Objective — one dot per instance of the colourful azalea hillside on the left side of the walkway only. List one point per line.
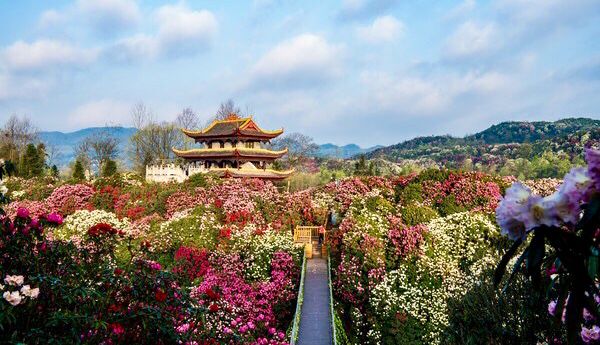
(119, 260)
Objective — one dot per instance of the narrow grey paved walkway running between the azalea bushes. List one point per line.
(315, 320)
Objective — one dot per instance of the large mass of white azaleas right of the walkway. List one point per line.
(457, 251)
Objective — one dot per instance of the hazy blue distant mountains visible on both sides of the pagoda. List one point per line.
(65, 144)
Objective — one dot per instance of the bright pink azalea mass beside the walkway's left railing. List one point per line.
(244, 309)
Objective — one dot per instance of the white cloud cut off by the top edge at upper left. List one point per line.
(110, 15)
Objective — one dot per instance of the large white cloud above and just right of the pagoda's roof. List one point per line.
(306, 58)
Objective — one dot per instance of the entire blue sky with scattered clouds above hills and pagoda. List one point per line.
(350, 71)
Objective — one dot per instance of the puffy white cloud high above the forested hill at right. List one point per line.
(472, 39)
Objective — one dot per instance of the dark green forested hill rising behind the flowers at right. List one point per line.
(499, 143)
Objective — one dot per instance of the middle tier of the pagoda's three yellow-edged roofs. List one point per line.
(230, 152)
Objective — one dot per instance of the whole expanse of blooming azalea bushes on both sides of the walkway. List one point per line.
(413, 259)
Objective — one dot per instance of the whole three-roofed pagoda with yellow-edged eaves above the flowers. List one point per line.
(234, 147)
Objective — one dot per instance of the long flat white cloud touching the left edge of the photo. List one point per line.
(45, 54)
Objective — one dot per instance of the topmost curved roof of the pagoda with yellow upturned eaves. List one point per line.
(232, 127)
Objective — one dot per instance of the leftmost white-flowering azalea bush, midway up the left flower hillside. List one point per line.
(76, 225)
